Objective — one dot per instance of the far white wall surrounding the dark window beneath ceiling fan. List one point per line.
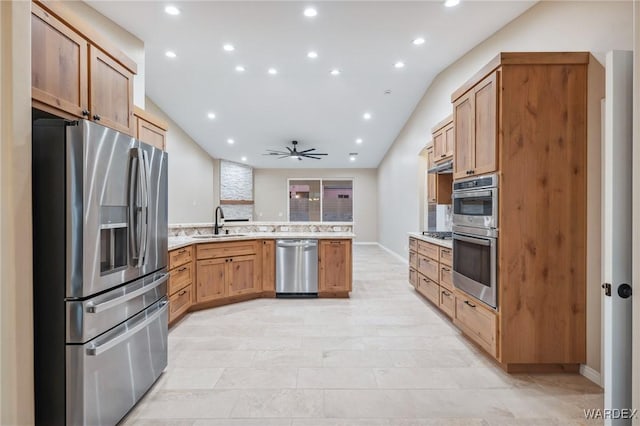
(270, 196)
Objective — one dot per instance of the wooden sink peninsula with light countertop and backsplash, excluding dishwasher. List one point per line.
(208, 270)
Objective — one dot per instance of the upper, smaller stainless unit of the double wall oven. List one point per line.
(475, 202)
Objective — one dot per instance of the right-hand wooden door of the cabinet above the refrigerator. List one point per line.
(110, 92)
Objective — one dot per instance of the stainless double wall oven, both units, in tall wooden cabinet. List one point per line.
(475, 237)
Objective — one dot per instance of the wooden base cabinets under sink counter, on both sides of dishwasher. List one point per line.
(212, 274)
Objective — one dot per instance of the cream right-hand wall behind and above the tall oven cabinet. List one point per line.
(548, 26)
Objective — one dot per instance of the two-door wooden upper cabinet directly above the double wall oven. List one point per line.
(475, 117)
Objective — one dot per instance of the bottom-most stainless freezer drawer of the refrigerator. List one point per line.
(107, 376)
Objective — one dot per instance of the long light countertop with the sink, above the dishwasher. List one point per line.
(177, 242)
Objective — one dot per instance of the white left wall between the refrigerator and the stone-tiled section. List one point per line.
(193, 175)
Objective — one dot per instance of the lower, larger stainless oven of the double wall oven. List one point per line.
(475, 263)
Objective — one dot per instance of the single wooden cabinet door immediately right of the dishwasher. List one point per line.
(335, 265)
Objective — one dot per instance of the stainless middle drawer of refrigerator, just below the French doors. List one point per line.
(89, 318)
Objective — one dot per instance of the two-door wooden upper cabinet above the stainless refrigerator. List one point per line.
(74, 74)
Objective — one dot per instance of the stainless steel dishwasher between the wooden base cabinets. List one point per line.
(296, 268)
